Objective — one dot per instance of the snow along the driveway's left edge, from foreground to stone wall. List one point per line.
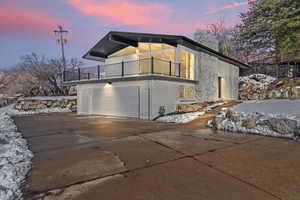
(15, 157)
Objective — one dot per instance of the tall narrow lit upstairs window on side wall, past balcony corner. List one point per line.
(187, 65)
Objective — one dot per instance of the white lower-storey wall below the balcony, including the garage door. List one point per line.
(152, 95)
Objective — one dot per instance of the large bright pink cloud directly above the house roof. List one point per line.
(147, 16)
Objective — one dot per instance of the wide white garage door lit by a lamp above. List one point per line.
(117, 101)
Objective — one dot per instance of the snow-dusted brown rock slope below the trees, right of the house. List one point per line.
(260, 86)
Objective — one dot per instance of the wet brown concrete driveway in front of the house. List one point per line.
(96, 157)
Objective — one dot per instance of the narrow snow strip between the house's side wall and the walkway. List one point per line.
(187, 117)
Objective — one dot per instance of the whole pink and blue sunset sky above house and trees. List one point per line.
(28, 25)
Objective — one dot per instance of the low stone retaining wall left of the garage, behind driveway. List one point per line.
(40, 103)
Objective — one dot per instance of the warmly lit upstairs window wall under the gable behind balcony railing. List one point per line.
(164, 59)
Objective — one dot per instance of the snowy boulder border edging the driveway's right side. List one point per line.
(268, 124)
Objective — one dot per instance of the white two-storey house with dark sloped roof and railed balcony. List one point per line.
(145, 74)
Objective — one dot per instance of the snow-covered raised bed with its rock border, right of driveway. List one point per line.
(274, 117)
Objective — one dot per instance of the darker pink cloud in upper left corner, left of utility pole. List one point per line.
(23, 21)
